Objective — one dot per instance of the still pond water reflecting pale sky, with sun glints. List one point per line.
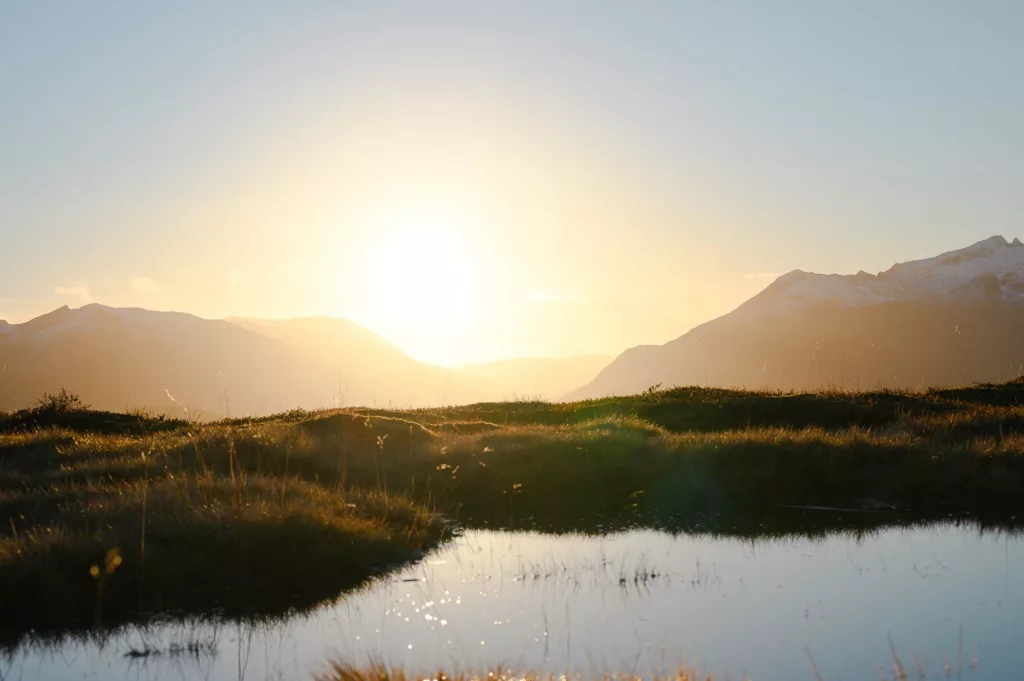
(641, 602)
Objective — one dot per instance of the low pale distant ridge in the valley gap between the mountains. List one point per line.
(544, 378)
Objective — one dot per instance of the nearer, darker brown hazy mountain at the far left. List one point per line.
(168, 362)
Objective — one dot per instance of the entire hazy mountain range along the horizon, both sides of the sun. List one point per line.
(955, 319)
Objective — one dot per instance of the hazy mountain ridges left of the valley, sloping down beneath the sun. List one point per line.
(181, 364)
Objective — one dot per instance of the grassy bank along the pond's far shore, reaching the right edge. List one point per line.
(676, 453)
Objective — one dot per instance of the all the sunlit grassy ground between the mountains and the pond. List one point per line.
(107, 518)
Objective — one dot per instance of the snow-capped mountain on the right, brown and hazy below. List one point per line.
(954, 319)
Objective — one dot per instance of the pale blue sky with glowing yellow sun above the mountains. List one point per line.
(481, 181)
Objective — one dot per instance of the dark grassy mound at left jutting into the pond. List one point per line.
(101, 530)
